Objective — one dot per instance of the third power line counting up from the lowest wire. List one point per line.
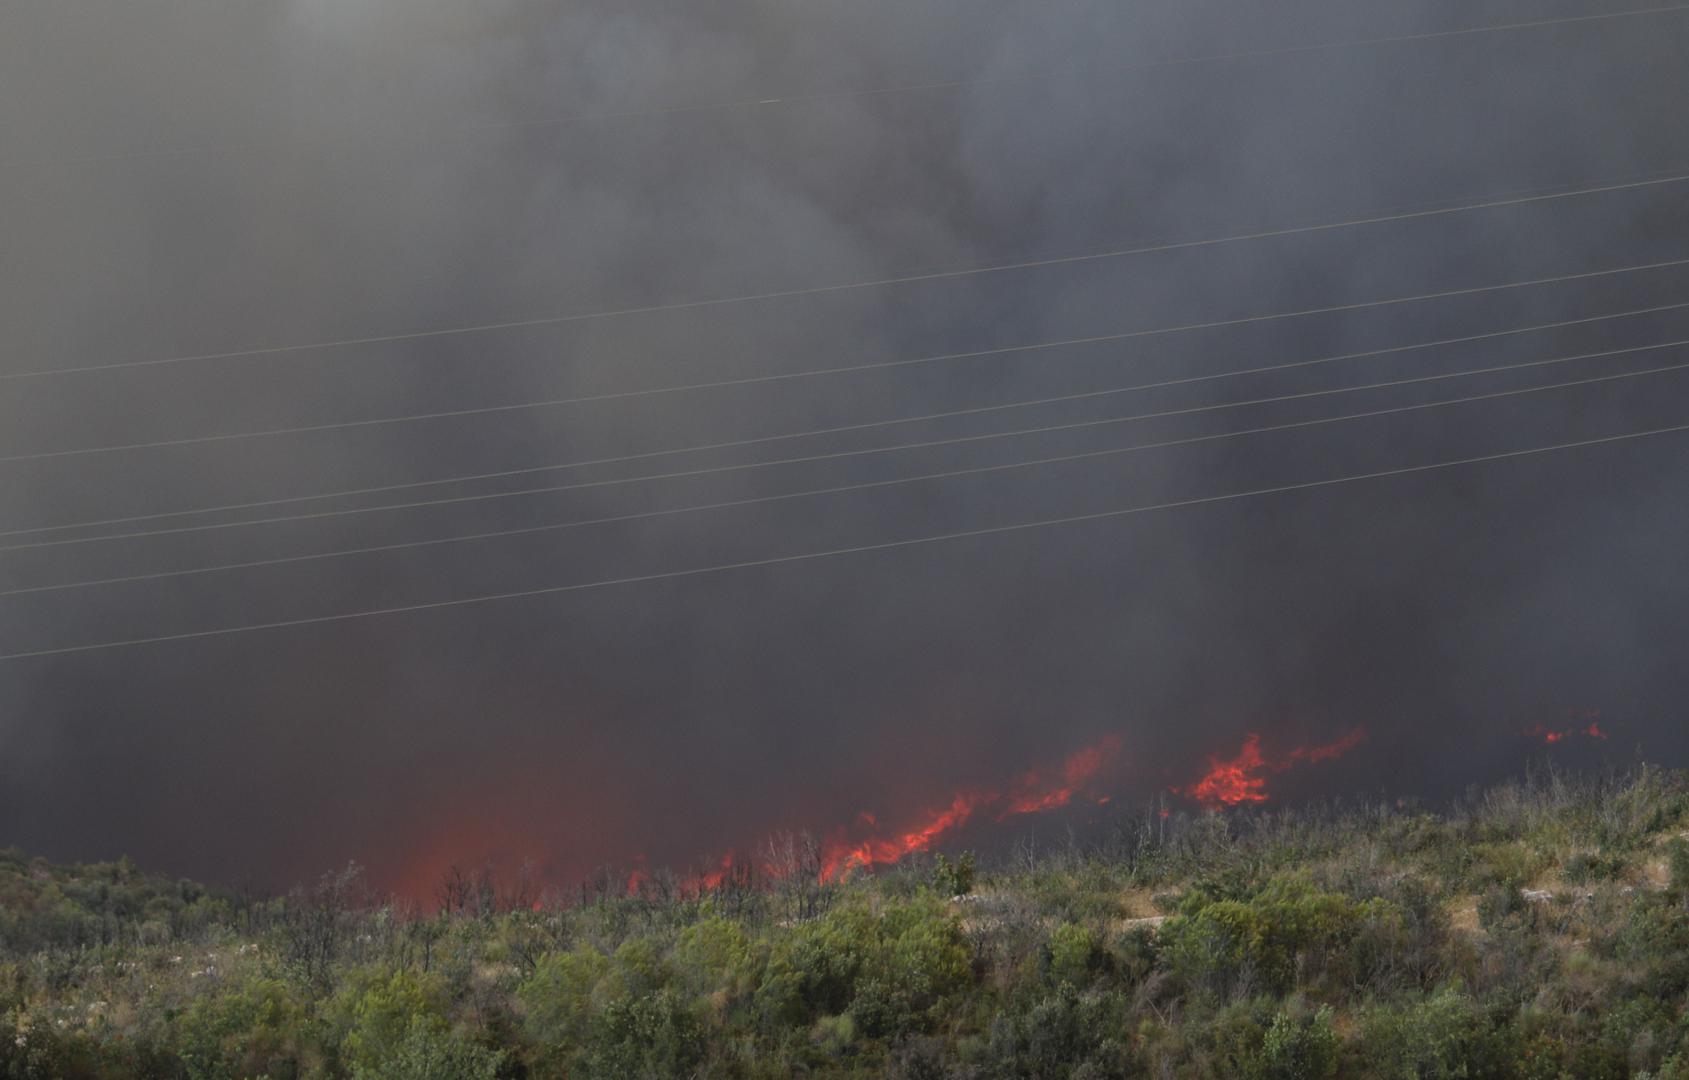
(864, 452)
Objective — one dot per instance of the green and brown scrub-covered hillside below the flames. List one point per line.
(1538, 930)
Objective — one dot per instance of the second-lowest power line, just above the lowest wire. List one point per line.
(834, 491)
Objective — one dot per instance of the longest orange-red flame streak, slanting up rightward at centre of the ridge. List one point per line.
(1033, 794)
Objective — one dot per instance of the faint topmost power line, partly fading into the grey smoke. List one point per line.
(926, 87)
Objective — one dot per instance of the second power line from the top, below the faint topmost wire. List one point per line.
(1026, 265)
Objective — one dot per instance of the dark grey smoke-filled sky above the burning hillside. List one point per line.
(195, 188)
